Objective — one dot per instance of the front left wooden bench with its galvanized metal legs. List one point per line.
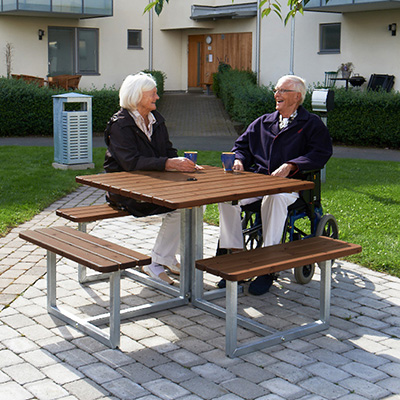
(97, 254)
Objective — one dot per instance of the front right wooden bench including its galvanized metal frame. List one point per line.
(267, 260)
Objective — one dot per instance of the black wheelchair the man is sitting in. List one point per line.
(305, 219)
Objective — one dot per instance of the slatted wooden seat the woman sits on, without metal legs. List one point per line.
(91, 213)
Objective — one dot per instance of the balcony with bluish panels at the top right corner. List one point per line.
(344, 6)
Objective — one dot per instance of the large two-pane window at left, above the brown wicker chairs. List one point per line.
(73, 51)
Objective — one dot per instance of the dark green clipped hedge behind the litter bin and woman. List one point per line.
(27, 110)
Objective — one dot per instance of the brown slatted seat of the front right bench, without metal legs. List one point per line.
(266, 260)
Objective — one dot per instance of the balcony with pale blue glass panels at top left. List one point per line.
(57, 8)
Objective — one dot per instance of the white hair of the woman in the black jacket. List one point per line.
(132, 88)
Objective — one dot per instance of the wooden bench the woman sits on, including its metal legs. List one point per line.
(84, 215)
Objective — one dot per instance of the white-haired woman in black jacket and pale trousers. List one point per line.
(137, 139)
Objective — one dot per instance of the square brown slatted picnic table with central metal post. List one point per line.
(189, 192)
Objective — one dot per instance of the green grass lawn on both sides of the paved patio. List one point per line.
(363, 195)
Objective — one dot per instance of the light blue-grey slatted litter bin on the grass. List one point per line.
(72, 118)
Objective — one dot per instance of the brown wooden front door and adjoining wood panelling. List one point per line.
(234, 49)
